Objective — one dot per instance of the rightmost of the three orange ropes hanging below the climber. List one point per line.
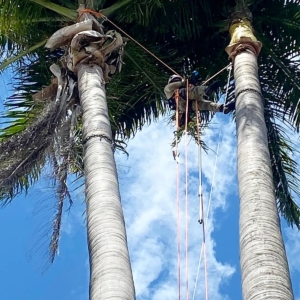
(201, 204)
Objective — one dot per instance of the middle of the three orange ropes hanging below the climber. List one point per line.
(186, 190)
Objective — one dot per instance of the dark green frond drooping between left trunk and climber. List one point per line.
(135, 99)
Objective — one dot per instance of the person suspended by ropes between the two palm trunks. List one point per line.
(201, 93)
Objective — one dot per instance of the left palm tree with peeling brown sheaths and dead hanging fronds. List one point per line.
(111, 274)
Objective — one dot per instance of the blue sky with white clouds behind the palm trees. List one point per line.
(148, 189)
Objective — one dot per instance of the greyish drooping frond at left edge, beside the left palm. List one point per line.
(24, 151)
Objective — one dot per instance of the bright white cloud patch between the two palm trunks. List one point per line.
(148, 188)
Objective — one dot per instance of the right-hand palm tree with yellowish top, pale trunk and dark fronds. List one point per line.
(267, 172)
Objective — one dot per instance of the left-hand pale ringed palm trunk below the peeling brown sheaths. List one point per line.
(110, 270)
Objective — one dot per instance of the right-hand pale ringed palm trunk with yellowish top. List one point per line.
(264, 267)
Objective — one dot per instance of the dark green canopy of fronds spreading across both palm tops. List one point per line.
(172, 30)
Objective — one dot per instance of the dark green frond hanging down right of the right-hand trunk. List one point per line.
(282, 150)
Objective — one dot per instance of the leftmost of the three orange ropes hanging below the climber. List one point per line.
(178, 195)
